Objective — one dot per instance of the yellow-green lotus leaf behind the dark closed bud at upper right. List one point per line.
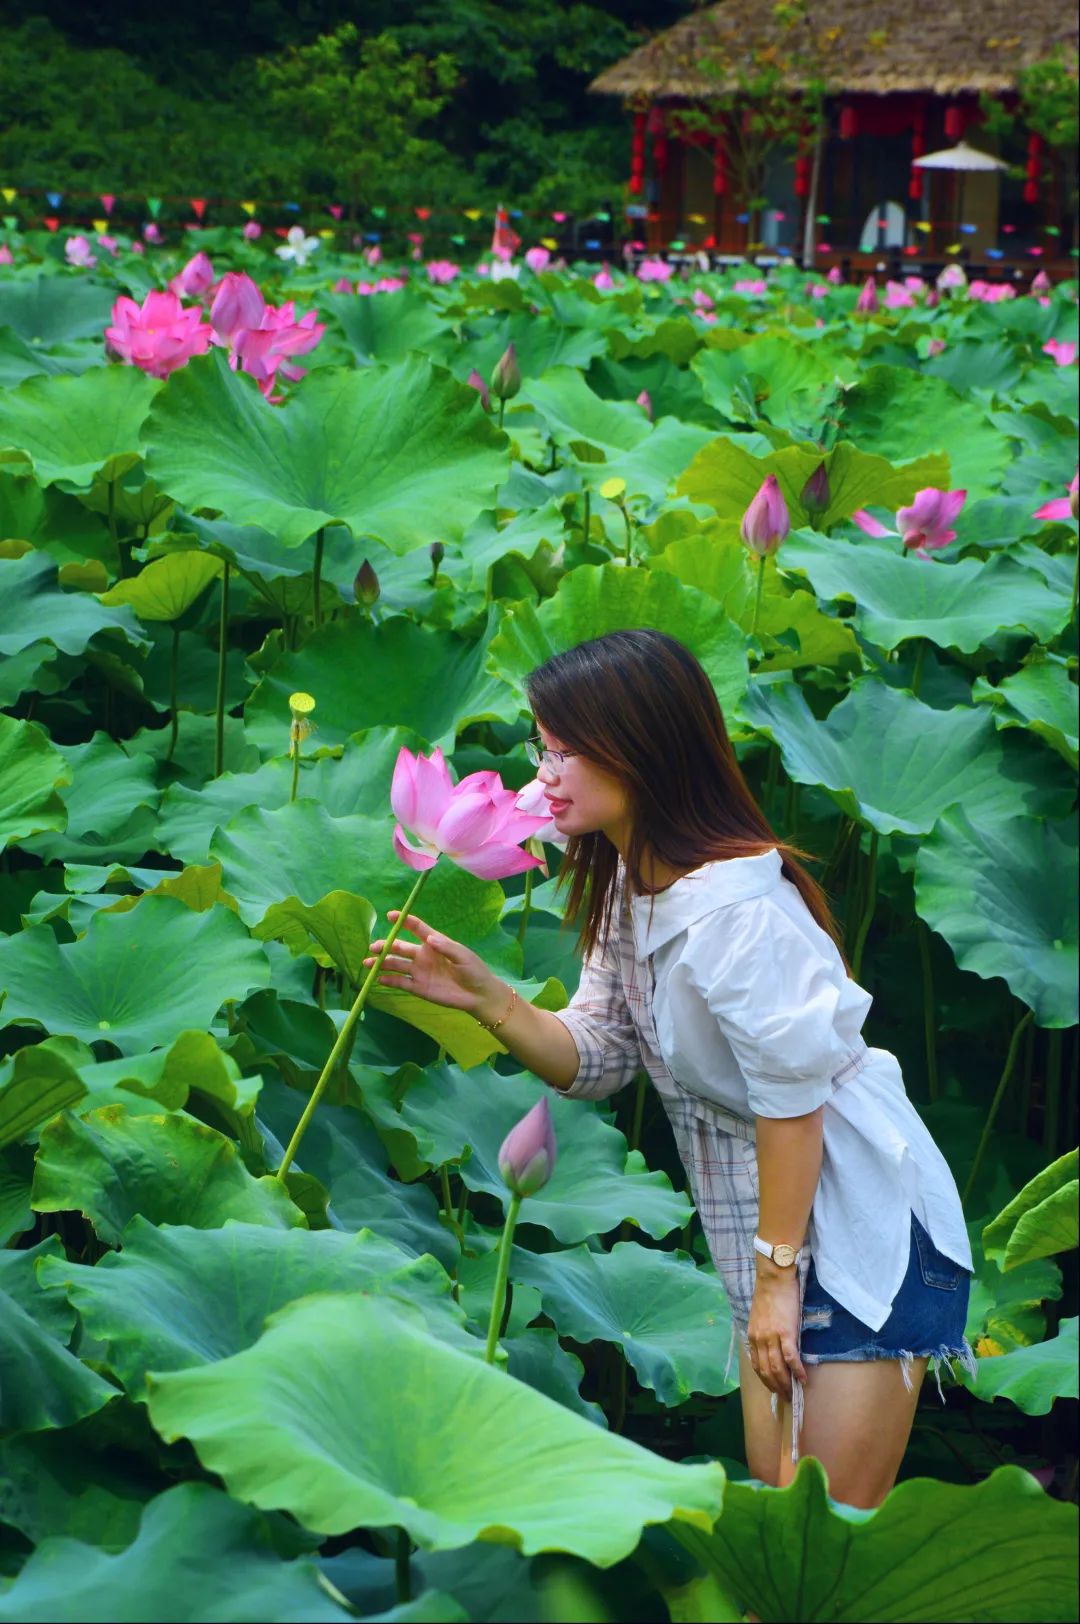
(727, 477)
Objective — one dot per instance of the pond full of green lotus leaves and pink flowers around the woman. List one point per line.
(228, 1394)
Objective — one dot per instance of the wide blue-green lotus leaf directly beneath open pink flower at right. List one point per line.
(956, 607)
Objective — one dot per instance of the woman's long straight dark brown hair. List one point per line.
(641, 706)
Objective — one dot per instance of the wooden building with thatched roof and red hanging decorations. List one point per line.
(894, 82)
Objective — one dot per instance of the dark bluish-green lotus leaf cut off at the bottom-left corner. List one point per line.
(194, 1542)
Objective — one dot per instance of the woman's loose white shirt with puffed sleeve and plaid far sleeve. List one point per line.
(754, 1011)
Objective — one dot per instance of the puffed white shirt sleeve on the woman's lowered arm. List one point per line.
(774, 993)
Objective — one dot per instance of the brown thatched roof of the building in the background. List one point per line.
(865, 46)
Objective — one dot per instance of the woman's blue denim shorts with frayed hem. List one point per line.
(928, 1316)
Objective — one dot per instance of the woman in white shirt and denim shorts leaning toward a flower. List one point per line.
(712, 961)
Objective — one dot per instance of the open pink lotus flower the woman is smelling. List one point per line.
(477, 824)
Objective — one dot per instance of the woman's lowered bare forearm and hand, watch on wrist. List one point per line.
(790, 1165)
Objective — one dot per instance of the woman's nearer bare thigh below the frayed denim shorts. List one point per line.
(858, 1420)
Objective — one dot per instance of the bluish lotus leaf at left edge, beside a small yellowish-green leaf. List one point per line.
(38, 611)
